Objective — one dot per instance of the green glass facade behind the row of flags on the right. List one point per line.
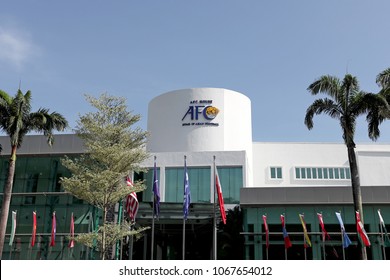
(331, 249)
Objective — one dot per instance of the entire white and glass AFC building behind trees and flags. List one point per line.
(210, 129)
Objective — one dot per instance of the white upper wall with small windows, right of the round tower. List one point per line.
(373, 162)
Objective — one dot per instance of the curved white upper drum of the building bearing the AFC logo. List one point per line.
(183, 121)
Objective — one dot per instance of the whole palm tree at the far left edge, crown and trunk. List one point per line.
(16, 120)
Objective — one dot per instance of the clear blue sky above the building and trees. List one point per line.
(268, 50)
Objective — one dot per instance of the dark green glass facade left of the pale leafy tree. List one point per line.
(37, 188)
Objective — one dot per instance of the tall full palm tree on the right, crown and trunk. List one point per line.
(345, 103)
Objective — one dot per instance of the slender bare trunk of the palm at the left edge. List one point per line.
(7, 199)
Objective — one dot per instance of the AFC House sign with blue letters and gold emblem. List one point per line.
(200, 113)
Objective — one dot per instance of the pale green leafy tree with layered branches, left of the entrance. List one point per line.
(113, 150)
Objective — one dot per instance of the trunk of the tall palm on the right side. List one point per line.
(356, 191)
